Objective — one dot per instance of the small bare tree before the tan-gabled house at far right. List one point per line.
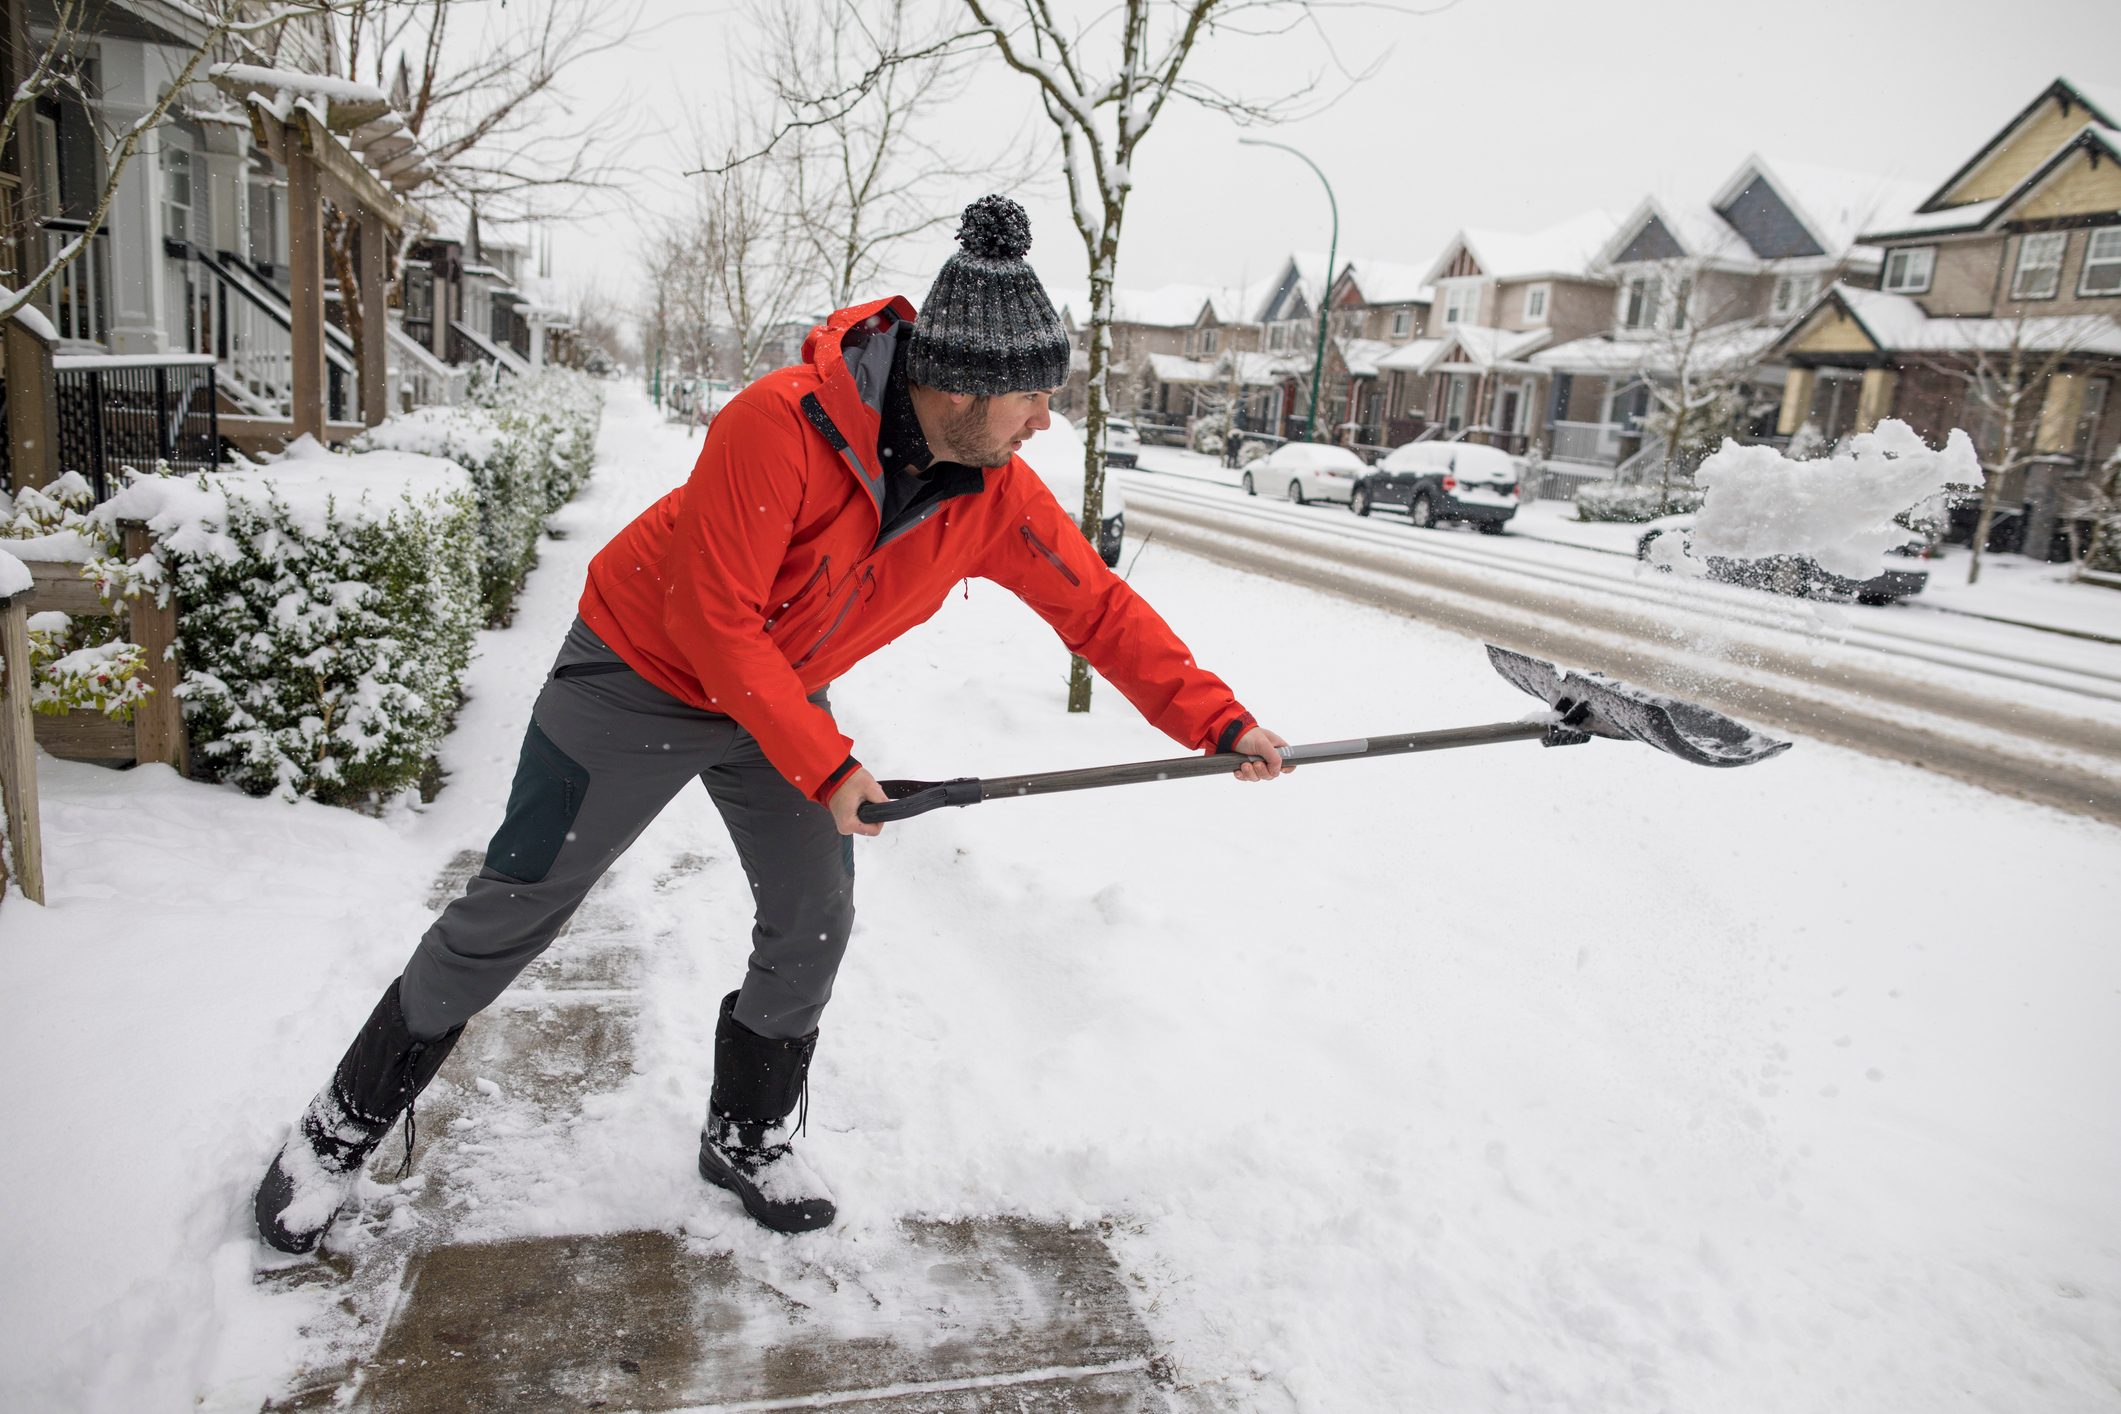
(2003, 385)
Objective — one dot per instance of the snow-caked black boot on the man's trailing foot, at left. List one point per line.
(376, 1082)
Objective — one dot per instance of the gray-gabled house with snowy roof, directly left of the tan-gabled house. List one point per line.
(1698, 296)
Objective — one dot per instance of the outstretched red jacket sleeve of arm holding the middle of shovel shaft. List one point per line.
(1045, 561)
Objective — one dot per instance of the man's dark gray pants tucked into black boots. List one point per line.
(603, 756)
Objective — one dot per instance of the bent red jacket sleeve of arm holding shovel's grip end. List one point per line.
(731, 537)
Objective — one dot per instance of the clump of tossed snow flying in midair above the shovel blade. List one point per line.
(1838, 512)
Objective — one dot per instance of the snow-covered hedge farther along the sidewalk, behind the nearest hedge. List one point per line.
(529, 444)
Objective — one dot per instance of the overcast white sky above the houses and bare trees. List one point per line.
(1492, 113)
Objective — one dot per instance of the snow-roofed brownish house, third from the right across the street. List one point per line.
(1501, 298)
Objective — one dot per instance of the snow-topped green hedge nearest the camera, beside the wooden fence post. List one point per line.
(326, 614)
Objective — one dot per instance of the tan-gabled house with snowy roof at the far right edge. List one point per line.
(1999, 311)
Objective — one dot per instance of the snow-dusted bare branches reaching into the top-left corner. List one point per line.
(230, 29)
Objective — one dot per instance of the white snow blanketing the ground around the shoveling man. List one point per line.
(1488, 1080)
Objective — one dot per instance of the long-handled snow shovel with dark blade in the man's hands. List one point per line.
(1581, 705)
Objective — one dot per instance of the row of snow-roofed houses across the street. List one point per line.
(1791, 302)
